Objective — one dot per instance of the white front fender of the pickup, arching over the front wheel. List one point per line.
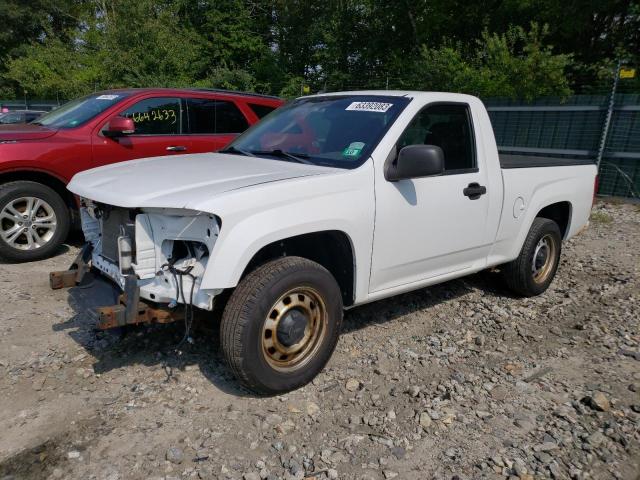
(343, 201)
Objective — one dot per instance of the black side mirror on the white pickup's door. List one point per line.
(416, 161)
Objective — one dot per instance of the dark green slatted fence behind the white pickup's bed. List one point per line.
(575, 128)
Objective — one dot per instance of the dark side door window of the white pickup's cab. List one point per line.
(448, 127)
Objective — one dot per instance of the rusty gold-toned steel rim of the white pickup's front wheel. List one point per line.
(301, 300)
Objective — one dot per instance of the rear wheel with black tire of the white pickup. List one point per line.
(519, 274)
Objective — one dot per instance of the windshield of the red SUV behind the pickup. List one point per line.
(79, 111)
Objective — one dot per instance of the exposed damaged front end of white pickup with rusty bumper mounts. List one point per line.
(156, 256)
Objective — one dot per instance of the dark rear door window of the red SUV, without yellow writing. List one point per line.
(214, 116)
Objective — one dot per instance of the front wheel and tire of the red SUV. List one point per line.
(34, 221)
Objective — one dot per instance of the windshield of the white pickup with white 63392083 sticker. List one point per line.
(337, 131)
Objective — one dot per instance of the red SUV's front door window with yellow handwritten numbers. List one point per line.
(155, 116)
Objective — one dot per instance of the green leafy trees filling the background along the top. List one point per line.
(64, 48)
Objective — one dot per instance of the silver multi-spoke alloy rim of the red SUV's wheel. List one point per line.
(27, 223)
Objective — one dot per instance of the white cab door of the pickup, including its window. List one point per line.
(428, 227)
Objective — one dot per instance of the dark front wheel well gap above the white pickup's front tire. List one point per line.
(331, 249)
